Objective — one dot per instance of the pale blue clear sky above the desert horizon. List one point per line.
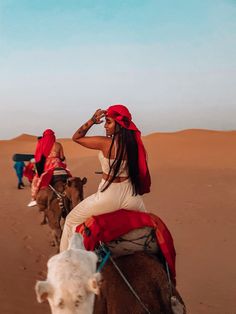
(172, 62)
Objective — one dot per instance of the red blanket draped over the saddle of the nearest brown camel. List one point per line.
(108, 227)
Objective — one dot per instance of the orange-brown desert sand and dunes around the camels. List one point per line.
(193, 191)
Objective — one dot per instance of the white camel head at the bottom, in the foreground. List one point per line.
(72, 281)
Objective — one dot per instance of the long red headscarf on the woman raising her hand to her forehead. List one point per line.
(123, 117)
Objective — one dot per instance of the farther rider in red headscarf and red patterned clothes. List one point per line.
(49, 155)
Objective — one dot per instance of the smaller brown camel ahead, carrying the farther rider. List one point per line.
(71, 193)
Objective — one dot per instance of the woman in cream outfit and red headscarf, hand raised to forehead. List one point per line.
(125, 172)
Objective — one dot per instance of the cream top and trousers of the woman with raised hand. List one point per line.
(116, 196)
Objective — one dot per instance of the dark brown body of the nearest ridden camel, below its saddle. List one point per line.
(148, 278)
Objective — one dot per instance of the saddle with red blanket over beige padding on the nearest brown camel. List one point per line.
(143, 231)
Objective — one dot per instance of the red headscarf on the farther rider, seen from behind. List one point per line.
(44, 145)
